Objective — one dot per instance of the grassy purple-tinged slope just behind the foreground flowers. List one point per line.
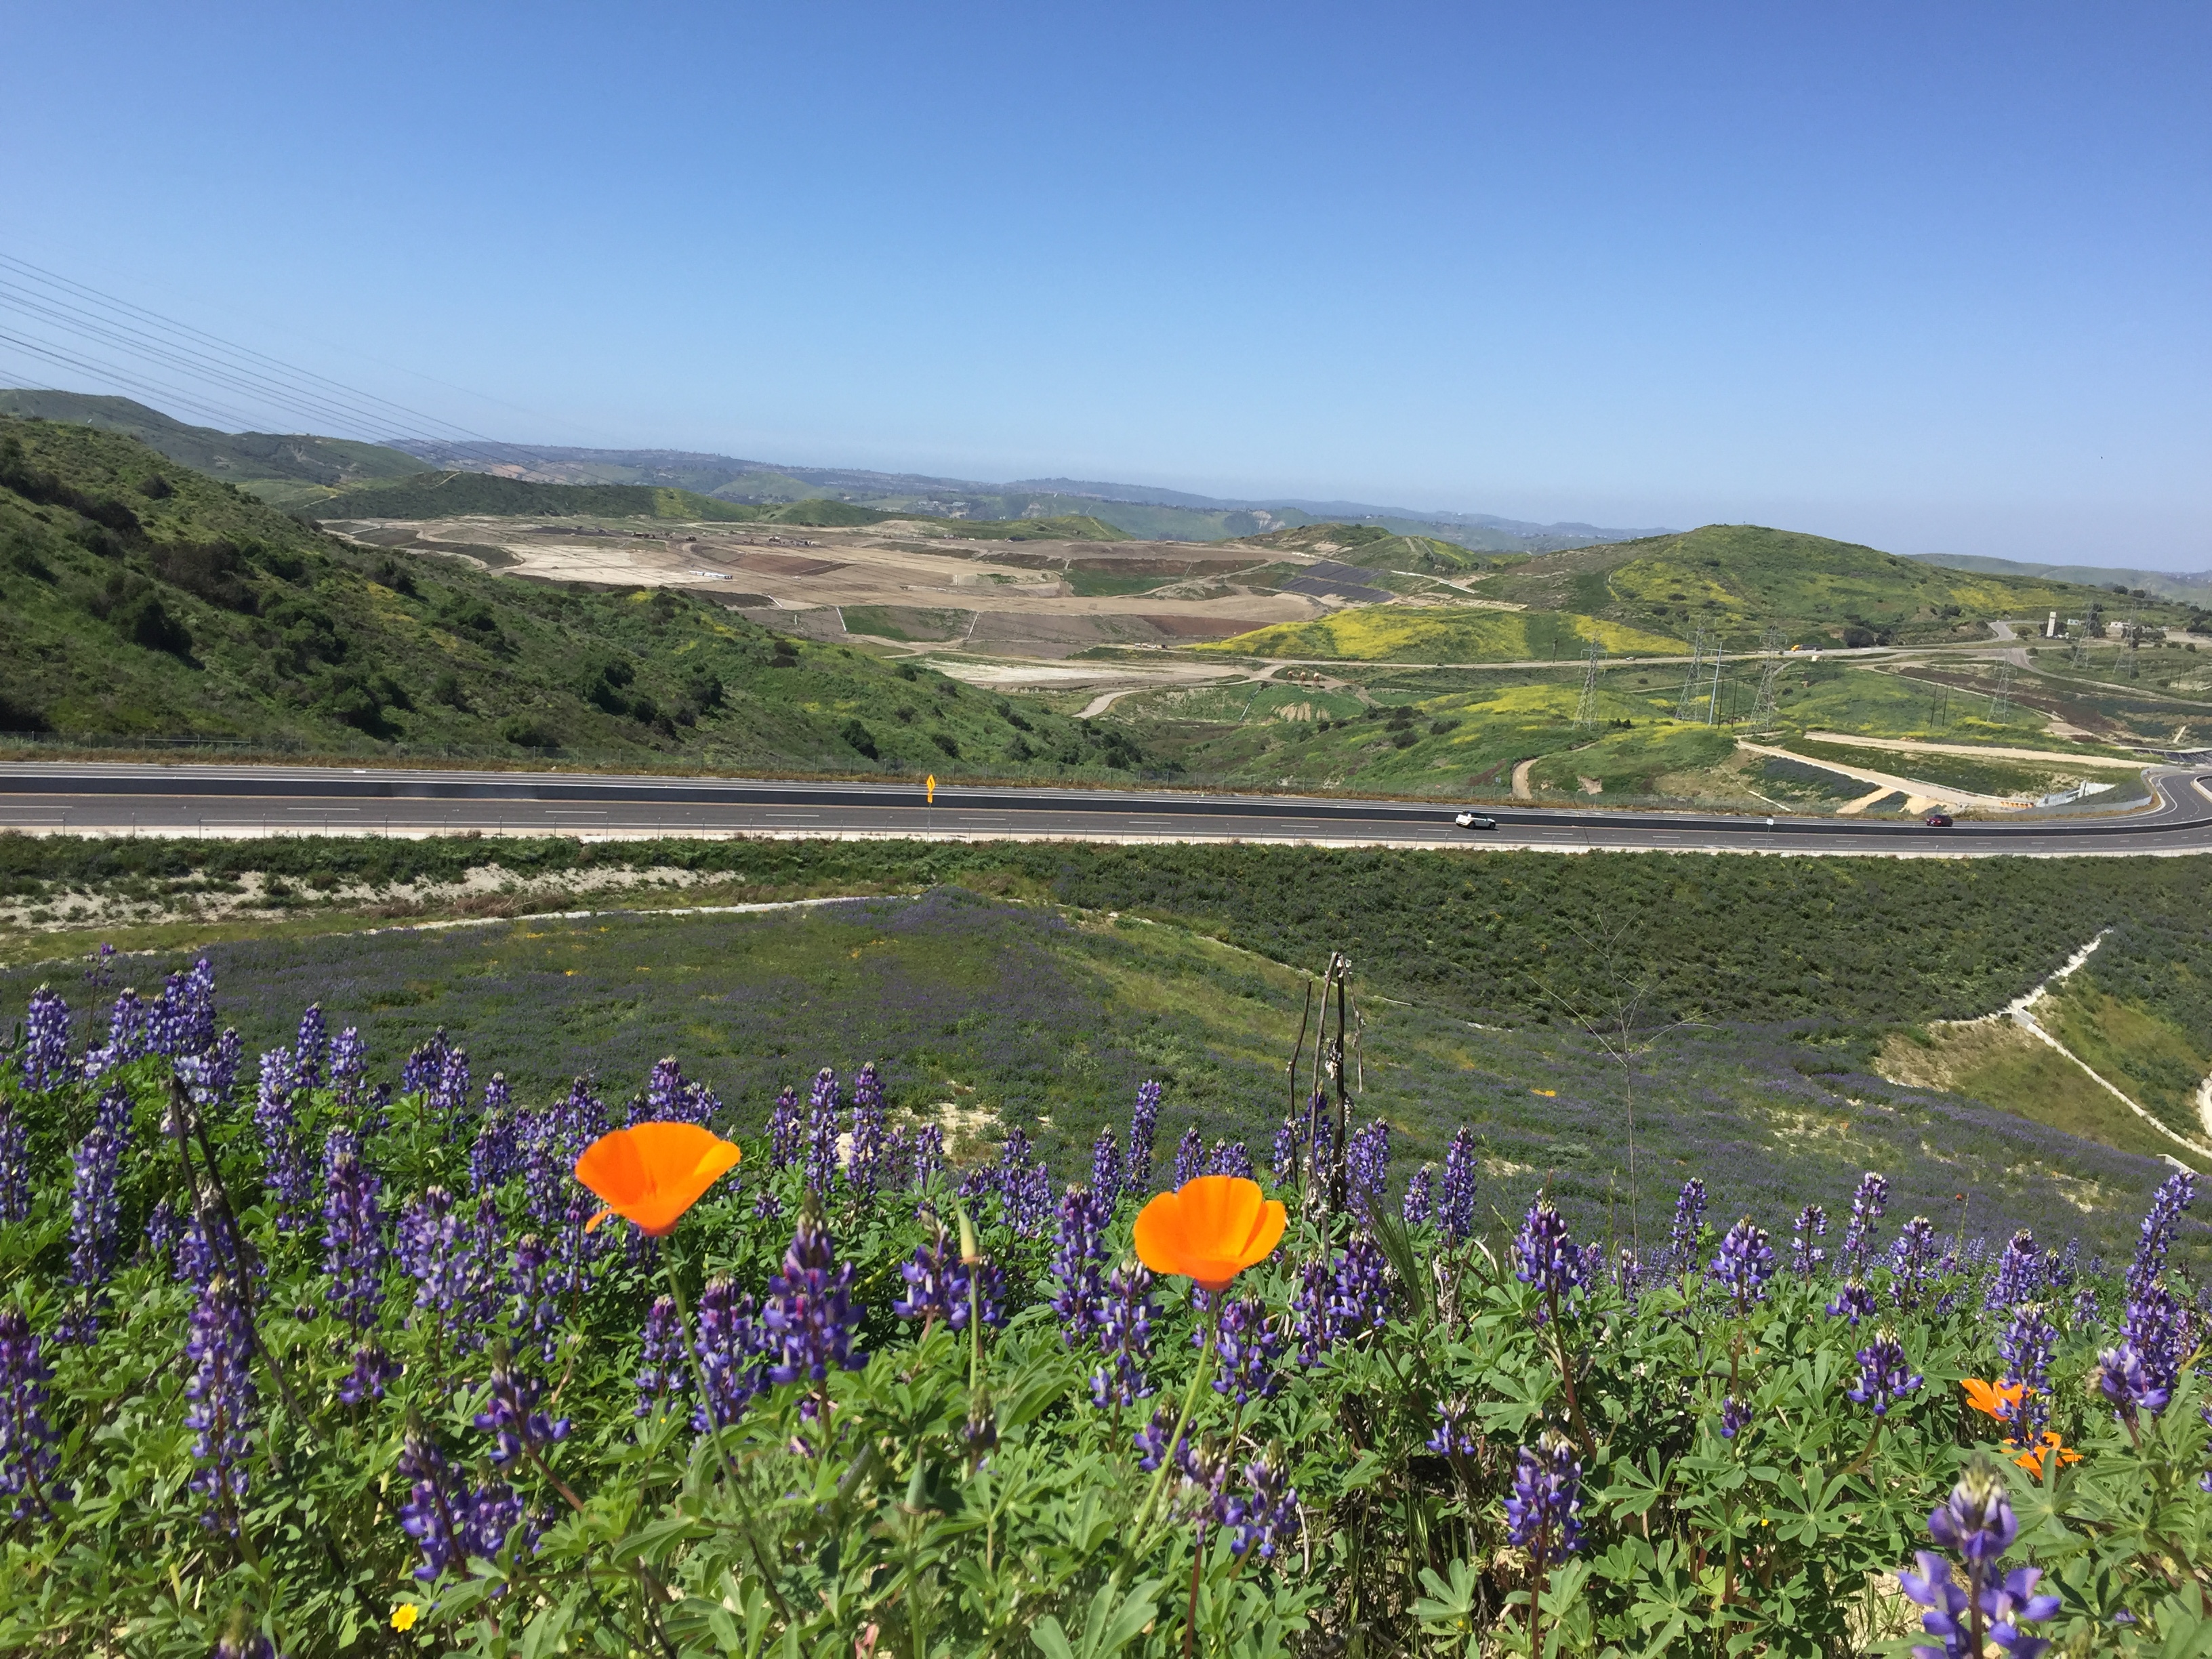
(990, 1016)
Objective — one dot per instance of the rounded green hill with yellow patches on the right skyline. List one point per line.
(1740, 578)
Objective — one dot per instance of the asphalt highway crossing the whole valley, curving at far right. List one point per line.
(70, 797)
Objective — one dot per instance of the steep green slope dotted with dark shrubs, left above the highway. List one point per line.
(145, 601)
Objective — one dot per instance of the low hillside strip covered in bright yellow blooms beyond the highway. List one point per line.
(1443, 634)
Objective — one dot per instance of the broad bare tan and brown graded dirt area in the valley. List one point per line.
(904, 583)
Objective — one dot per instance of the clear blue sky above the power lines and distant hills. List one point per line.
(1923, 275)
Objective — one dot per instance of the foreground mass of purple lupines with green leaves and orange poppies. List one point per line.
(302, 1355)
